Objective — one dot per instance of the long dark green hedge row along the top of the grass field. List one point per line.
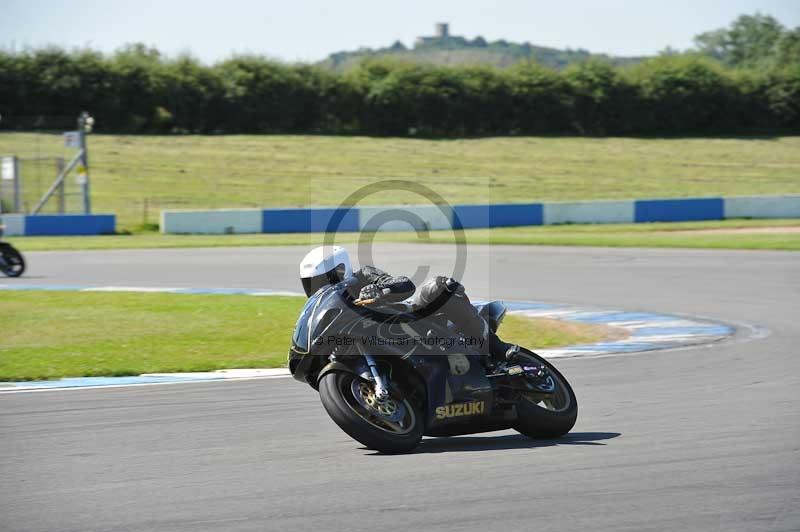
(137, 90)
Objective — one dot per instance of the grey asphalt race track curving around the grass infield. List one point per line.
(696, 439)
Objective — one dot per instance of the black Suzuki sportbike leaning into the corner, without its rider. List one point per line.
(388, 375)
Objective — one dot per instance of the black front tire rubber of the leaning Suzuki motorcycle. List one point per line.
(342, 406)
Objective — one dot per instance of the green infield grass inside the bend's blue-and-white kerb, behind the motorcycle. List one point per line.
(68, 334)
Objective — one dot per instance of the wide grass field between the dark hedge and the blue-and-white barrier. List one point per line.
(182, 172)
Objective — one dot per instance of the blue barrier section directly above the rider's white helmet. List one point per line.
(309, 220)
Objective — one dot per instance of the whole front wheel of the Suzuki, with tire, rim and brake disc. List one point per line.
(390, 425)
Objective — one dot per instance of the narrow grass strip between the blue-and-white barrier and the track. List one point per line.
(685, 234)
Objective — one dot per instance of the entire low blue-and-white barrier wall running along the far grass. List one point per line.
(429, 217)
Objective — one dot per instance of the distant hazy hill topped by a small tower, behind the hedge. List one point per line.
(446, 49)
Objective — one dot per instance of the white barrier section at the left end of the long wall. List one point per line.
(217, 222)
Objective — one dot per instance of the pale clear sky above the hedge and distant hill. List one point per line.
(309, 30)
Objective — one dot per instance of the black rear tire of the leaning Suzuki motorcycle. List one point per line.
(536, 421)
